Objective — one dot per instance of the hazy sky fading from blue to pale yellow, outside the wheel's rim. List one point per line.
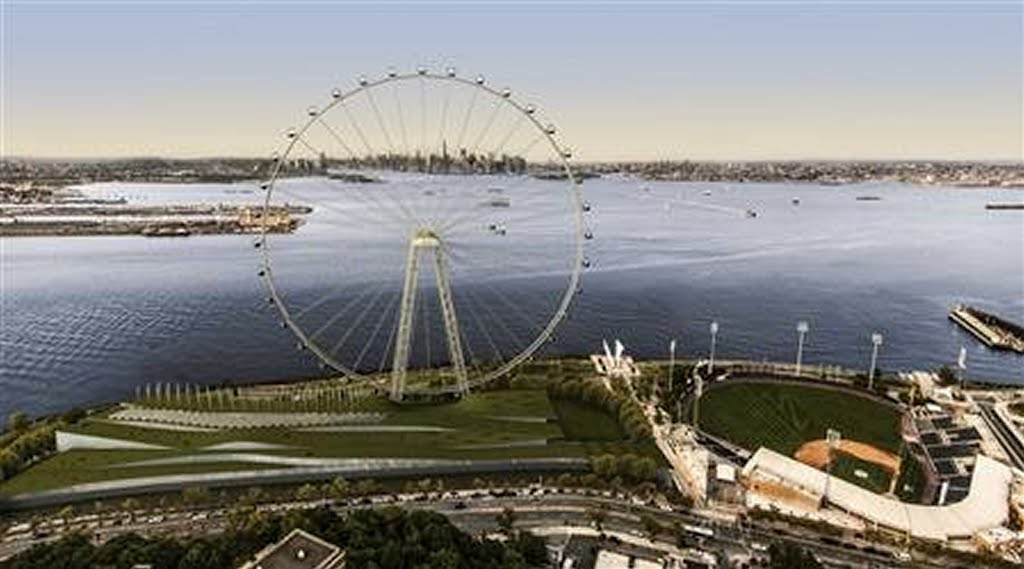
(731, 80)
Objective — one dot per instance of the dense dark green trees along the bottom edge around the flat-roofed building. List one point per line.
(383, 539)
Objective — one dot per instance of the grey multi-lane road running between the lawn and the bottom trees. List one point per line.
(551, 514)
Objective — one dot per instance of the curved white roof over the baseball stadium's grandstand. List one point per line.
(987, 506)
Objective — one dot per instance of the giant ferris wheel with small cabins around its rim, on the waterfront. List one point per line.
(447, 238)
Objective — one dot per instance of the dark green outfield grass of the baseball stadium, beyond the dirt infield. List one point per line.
(783, 417)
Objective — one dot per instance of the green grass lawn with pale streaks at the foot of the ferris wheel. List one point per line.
(481, 427)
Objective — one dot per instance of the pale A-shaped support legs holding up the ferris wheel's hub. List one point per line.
(426, 241)
